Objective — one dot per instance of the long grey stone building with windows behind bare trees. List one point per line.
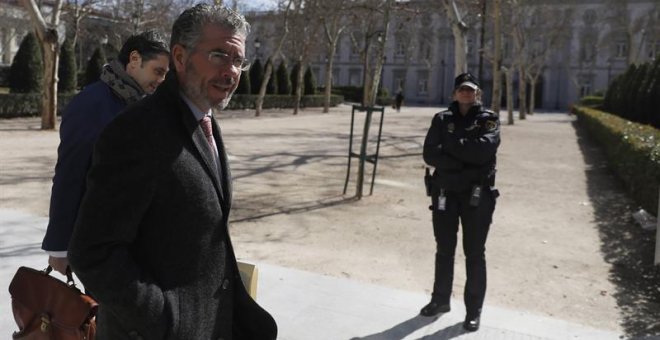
(601, 39)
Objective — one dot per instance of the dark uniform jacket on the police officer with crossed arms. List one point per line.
(462, 148)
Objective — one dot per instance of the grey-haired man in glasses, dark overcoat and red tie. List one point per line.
(151, 242)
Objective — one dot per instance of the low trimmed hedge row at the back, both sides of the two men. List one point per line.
(25, 105)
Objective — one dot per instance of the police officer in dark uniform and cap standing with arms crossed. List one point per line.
(461, 145)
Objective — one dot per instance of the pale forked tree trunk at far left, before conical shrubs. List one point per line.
(49, 40)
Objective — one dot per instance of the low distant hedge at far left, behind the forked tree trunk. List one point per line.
(27, 104)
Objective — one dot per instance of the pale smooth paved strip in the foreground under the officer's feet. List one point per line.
(309, 306)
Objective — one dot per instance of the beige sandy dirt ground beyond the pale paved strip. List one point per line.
(563, 242)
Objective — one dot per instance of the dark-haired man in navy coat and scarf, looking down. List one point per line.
(139, 68)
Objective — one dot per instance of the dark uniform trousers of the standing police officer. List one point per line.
(475, 221)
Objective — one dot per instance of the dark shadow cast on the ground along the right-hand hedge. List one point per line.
(624, 244)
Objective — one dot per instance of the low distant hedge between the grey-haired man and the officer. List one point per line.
(242, 101)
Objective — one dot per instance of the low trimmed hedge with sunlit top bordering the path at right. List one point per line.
(632, 150)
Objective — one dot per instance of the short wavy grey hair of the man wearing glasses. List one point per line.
(187, 28)
